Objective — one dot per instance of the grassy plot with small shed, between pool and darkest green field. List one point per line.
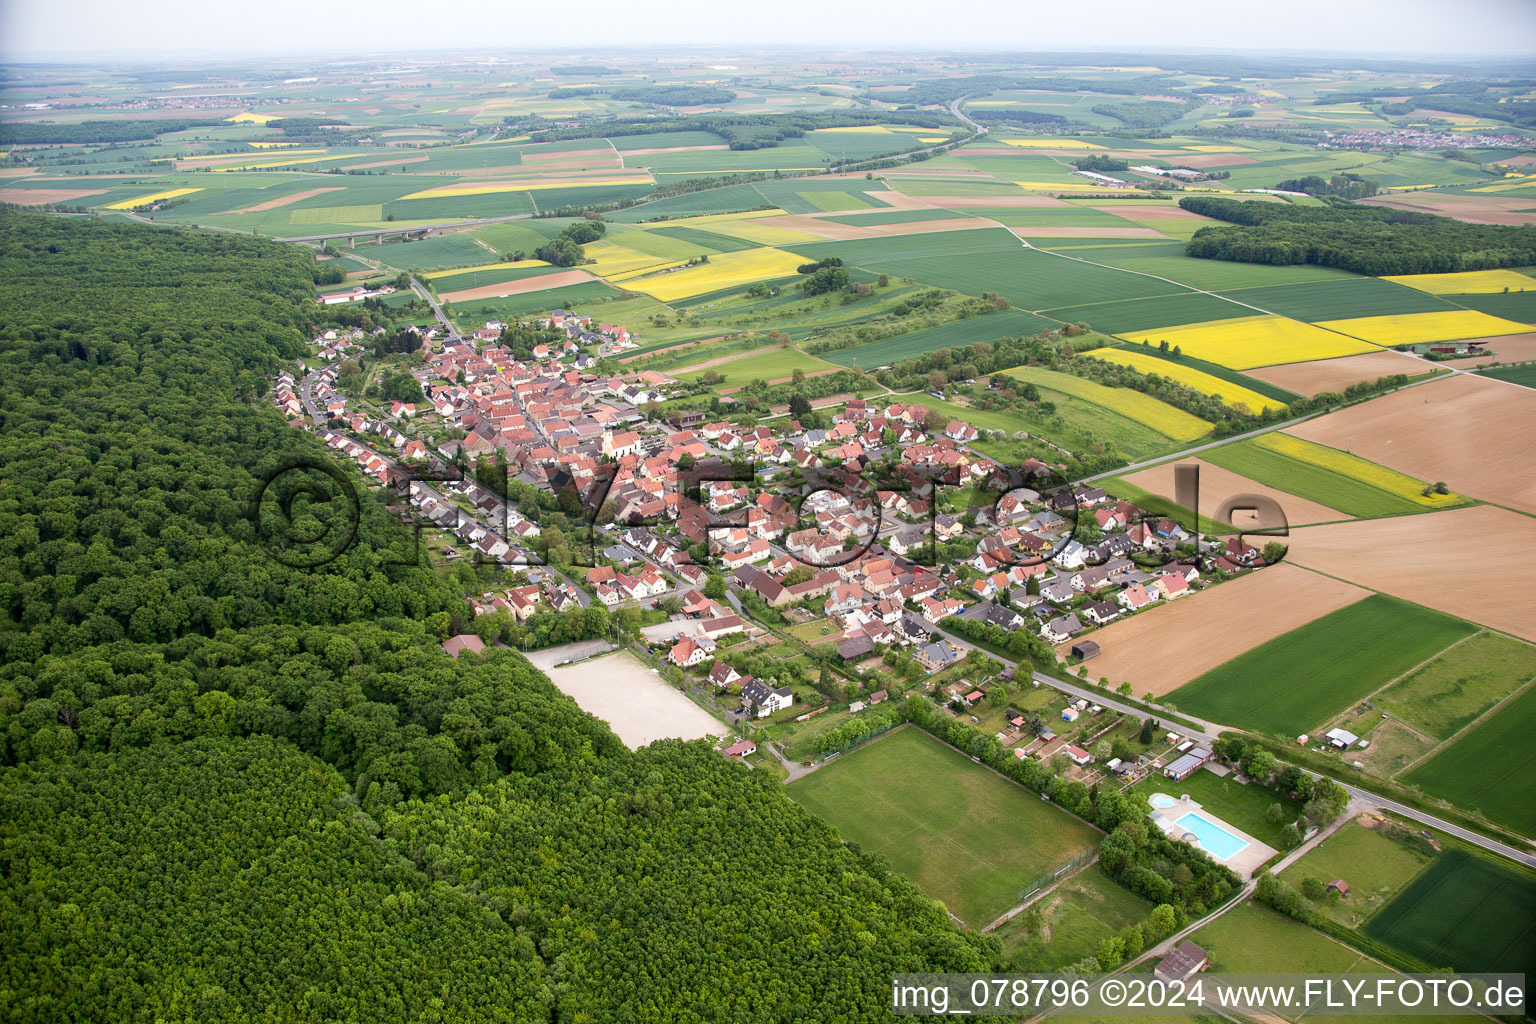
(1375, 867)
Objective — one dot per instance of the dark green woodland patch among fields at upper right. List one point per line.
(1369, 240)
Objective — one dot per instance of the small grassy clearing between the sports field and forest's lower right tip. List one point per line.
(1074, 919)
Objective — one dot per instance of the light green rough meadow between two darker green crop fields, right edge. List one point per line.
(1449, 693)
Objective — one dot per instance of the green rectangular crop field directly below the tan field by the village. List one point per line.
(1291, 684)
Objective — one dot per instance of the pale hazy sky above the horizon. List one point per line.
(137, 28)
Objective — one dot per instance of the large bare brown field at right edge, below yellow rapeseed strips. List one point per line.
(1471, 432)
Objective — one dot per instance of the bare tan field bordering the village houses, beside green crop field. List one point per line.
(1160, 650)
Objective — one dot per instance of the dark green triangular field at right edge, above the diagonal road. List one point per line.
(1491, 770)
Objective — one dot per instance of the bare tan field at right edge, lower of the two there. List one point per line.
(1469, 563)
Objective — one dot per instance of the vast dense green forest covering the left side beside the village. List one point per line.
(233, 790)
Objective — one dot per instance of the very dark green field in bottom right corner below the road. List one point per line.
(1465, 913)
